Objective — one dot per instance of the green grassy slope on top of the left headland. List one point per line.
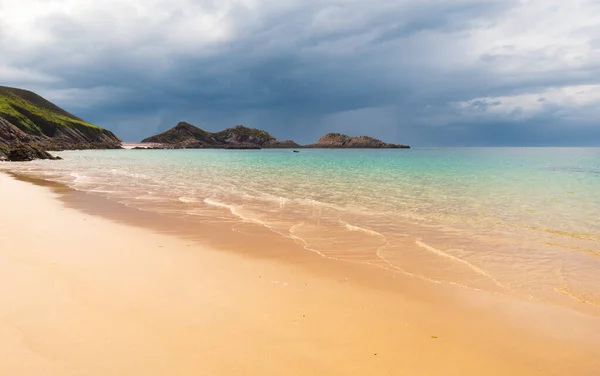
(32, 114)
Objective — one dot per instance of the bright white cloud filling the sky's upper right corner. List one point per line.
(538, 36)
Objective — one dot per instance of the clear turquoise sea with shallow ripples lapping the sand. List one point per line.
(521, 221)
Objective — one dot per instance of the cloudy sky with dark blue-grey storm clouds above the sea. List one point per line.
(420, 72)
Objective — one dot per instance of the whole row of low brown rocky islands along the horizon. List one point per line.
(187, 136)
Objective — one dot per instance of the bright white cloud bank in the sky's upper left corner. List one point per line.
(180, 24)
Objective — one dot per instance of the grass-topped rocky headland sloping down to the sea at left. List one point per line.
(30, 126)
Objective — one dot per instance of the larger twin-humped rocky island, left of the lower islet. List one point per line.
(185, 135)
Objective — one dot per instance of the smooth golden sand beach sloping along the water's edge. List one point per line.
(89, 287)
